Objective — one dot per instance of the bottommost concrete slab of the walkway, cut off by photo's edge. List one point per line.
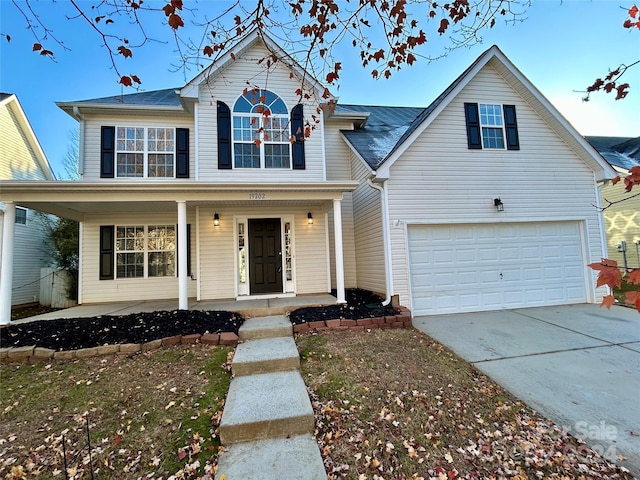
(293, 458)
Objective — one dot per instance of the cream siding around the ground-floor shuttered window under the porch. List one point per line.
(95, 290)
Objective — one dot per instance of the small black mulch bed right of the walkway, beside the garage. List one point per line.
(360, 304)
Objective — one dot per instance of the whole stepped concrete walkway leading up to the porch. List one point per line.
(267, 423)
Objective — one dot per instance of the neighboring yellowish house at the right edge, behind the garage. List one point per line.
(621, 220)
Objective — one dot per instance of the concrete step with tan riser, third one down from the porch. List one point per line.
(269, 405)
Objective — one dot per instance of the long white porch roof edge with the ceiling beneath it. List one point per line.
(76, 199)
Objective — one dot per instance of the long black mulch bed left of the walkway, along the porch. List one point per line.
(77, 333)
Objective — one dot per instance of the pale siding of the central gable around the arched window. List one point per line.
(227, 87)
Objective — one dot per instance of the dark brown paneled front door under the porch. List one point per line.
(265, 256)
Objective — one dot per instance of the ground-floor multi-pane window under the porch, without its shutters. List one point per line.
(145, 251)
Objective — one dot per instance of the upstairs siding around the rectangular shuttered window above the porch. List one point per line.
(92, 140)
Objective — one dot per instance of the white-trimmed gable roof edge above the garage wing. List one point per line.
(382, 161)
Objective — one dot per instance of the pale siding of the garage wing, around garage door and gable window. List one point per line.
(438, 180)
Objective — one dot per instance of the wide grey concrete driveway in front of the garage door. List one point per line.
(578, 365)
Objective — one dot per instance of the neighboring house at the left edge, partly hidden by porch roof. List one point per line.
(22, 158)
